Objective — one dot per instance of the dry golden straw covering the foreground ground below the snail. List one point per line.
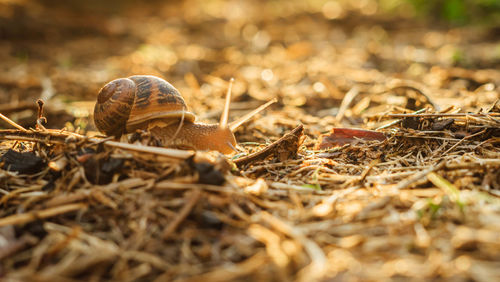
(418, 205)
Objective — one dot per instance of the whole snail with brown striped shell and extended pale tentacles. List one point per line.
(150, 103)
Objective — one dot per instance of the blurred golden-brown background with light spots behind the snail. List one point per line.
(306, 53)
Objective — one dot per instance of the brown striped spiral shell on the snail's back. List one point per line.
(126, 104)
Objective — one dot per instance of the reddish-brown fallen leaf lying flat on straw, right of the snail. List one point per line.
(342, 136)
